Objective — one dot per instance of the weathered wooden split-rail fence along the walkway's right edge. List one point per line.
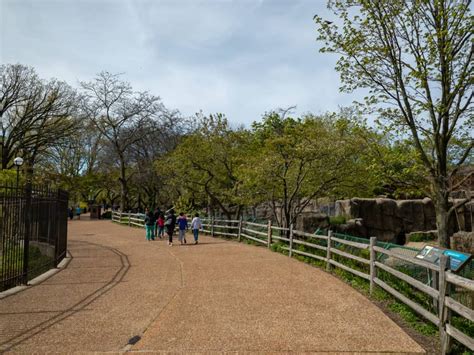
(290, 239)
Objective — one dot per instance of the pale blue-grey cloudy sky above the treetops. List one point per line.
(239, 57)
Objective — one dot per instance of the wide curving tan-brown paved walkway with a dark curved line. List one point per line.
(213, 297)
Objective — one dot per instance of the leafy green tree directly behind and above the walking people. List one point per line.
(205, 166)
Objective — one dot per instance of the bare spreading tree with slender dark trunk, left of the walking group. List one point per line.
(118, 113)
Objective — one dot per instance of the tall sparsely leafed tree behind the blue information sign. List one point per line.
(416, 60)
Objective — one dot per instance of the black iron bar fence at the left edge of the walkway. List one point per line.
(33, 232)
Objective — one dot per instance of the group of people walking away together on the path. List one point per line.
(157, 225)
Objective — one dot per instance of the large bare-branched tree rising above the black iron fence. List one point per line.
(34, 114)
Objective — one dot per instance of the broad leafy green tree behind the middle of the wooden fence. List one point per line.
(296, 161)
